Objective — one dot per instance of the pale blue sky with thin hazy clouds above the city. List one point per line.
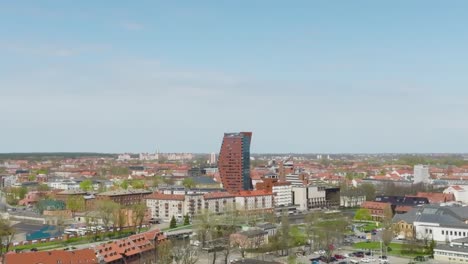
(303, 76)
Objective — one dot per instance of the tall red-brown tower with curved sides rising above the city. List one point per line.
(234, 162)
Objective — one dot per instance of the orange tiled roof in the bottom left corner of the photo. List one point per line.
(82, 256)
